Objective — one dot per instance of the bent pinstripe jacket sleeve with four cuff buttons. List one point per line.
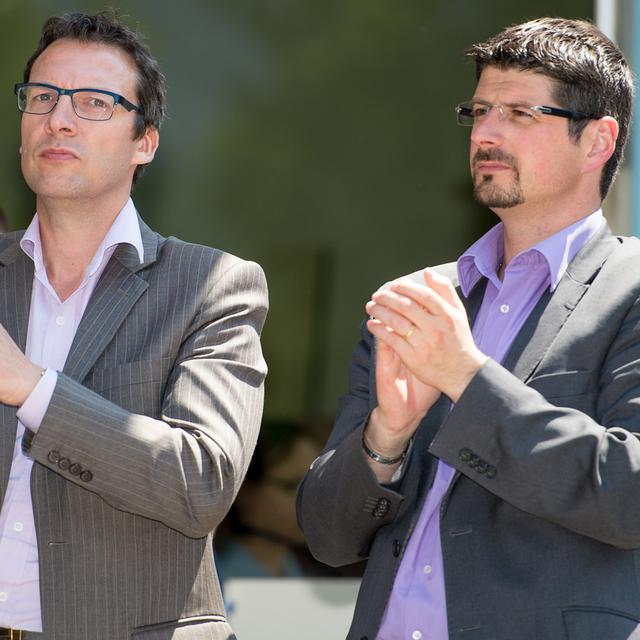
(184, 466)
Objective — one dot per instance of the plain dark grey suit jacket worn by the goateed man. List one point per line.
(540, 526)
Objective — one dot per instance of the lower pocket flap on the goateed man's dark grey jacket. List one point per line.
(589, 623)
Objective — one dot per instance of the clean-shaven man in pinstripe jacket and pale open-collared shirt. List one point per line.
(131, 374)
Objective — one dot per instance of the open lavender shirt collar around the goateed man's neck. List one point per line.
(483, 256)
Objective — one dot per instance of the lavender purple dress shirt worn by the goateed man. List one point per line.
(417, 608)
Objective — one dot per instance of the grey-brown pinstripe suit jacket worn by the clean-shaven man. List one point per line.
(146, 440)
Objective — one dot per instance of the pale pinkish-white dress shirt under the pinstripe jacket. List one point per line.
(52, 327)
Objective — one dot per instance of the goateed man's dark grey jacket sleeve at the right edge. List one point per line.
(564, 447)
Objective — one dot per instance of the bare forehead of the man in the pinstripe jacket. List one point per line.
(71, 64)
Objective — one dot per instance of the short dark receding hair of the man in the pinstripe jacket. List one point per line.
(107, 28)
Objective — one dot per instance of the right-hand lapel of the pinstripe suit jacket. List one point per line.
(118, 289)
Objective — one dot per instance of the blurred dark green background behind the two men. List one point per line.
(319, 139)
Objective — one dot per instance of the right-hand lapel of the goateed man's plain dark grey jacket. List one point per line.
(554, 308)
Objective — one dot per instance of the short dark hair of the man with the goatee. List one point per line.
(591, 74)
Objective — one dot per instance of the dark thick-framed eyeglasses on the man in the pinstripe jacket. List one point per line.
(89, 104)
